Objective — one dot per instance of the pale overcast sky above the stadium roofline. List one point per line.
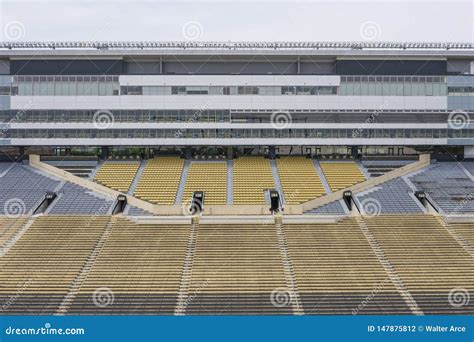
(223, 20)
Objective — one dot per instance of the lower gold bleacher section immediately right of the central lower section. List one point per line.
(336, 271)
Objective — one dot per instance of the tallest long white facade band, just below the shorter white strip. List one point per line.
(232, 102)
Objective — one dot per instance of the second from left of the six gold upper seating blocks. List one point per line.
(160, 180)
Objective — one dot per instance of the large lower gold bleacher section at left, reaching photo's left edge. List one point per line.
(39, 269)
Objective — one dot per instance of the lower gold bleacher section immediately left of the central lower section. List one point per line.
(141, 266)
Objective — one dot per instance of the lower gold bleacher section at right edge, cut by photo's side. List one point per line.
(427, 259)
